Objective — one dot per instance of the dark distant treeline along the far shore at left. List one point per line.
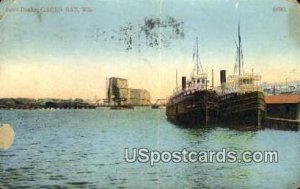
(29, 103)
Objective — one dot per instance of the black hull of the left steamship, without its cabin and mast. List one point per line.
(195, 109)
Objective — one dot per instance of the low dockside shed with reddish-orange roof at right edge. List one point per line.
(286, 106)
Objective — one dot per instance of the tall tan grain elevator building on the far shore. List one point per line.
(118, 93)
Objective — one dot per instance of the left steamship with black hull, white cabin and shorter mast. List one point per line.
(194, 103)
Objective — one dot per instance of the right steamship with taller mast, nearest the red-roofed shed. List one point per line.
(241, 103)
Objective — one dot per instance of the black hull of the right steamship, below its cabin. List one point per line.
(240, 110)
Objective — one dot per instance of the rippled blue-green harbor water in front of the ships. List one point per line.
(85, 149)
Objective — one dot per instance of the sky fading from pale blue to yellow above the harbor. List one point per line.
(59, 53)
